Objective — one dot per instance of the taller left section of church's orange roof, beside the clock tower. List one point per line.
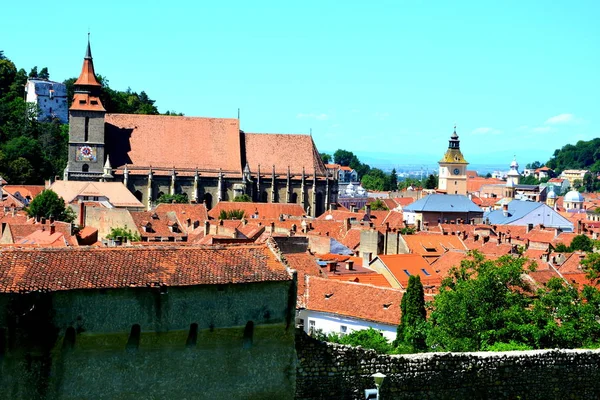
(165, 141)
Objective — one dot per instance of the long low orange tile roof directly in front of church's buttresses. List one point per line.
(264, 210)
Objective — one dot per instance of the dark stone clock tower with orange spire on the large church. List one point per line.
(86, 126)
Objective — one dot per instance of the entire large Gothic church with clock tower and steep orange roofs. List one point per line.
(208, 159)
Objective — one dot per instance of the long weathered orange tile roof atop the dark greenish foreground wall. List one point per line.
(26, 270)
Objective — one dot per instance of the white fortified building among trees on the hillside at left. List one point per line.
(50, 97)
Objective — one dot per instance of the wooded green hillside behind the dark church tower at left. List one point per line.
(31, 150)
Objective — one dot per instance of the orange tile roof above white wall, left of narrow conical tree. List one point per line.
(355, 300)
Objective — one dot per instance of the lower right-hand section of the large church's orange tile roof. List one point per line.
(295, 151)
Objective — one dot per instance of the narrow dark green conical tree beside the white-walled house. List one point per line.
(412, 328)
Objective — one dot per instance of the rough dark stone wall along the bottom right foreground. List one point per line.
(330, 371)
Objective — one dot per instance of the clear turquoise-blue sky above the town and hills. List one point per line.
(385, 79)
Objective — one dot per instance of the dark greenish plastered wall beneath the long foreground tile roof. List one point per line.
(82, 344)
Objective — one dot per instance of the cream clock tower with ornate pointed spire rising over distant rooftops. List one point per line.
(453, 169)
